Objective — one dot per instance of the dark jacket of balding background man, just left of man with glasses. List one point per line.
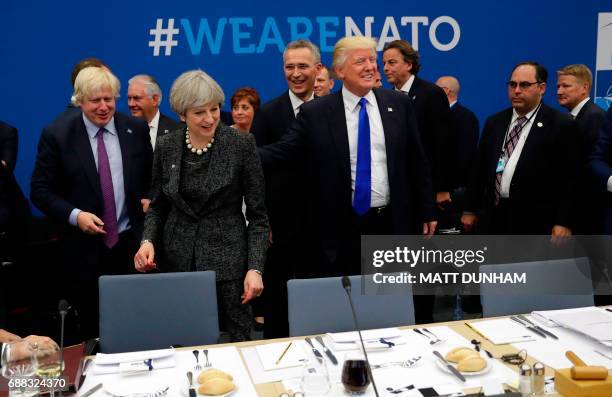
(466, 141)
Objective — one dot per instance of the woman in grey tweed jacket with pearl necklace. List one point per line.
(195, 222)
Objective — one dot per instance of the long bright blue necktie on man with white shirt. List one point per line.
(363, 177)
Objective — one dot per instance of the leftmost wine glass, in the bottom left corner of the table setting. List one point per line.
(19, 362)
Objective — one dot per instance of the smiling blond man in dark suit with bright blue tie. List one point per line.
(366, 168)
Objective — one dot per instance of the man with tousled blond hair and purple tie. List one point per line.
(92, 169)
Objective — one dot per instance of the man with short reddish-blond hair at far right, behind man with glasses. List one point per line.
(573, 87)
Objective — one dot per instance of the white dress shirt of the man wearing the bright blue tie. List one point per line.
(380, 178)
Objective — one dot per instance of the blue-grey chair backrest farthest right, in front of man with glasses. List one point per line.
(564, 274)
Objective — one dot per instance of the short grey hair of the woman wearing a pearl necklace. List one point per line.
(192, 89)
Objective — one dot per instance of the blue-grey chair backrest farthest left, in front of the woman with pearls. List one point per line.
(153, 311)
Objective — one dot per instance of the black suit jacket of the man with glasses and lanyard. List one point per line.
(542, 191)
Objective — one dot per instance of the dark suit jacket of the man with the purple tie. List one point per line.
(65, 177)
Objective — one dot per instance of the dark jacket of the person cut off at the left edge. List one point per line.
(13, 204)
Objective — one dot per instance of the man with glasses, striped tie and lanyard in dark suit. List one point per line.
(524, 178)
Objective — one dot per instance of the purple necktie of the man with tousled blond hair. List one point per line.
(109, 214)
